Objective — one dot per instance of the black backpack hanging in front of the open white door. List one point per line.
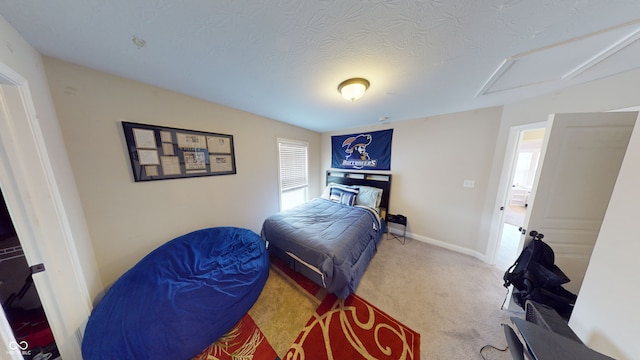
(535, 277)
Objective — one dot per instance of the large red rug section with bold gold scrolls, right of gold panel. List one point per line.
(353, 329)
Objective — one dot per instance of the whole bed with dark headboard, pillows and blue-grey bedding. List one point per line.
(332, 238)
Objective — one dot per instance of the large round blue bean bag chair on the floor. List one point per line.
(180, 298)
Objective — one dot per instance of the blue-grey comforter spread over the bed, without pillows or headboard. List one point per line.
(339, 240)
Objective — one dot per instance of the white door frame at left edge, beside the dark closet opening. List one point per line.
(40, 220)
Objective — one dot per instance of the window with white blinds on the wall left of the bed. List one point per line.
(294, 179)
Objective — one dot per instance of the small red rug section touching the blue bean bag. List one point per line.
(244, 341)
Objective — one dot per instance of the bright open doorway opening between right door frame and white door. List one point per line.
(521, 177)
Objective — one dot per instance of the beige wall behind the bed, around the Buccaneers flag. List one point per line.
(430, 159)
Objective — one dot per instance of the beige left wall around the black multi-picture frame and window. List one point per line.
(126, 219)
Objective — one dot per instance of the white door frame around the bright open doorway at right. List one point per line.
(506, 176)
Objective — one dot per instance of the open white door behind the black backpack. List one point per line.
(582, 156)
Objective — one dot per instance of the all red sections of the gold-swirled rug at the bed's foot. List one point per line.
(339, 329)
